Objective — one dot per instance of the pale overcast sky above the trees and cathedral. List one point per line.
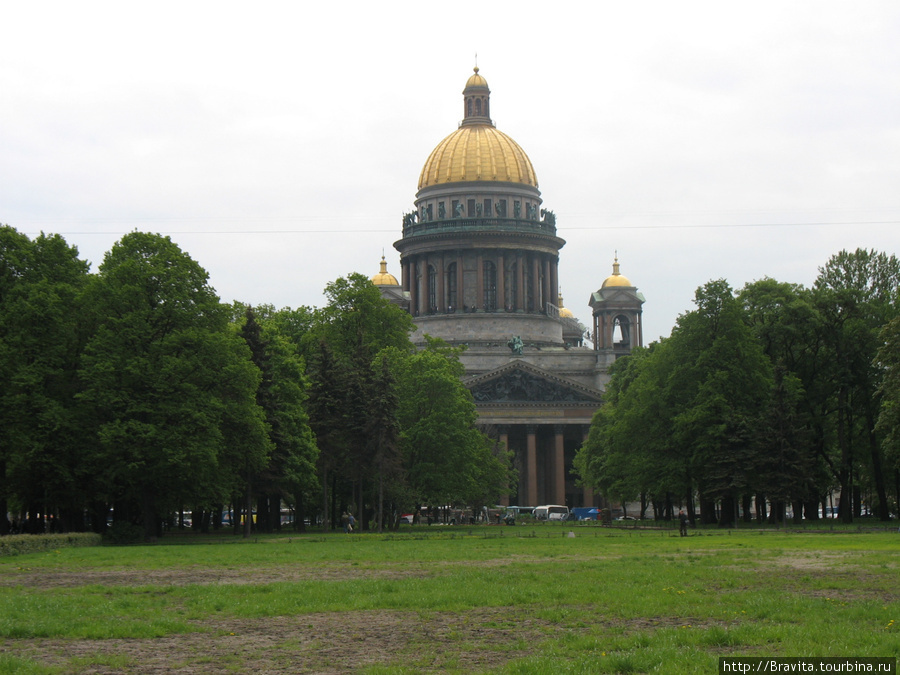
(280, 143)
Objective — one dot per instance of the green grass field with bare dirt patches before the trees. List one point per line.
(483, 599)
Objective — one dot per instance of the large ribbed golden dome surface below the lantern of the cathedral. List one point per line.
(477, 153)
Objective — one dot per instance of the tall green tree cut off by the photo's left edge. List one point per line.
(40, 338)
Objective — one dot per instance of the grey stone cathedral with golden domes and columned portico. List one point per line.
(479, 261)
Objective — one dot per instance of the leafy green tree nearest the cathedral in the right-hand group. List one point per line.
(679, 416)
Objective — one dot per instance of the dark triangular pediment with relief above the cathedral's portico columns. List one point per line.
(522, 382)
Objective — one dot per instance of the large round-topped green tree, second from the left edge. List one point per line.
(172, 388)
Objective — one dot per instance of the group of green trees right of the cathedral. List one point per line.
(776, 395)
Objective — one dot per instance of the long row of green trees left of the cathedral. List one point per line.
(133, 394)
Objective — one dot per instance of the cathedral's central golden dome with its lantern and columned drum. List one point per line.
(478, 239)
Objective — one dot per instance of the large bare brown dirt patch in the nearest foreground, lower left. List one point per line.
(313, 643)
